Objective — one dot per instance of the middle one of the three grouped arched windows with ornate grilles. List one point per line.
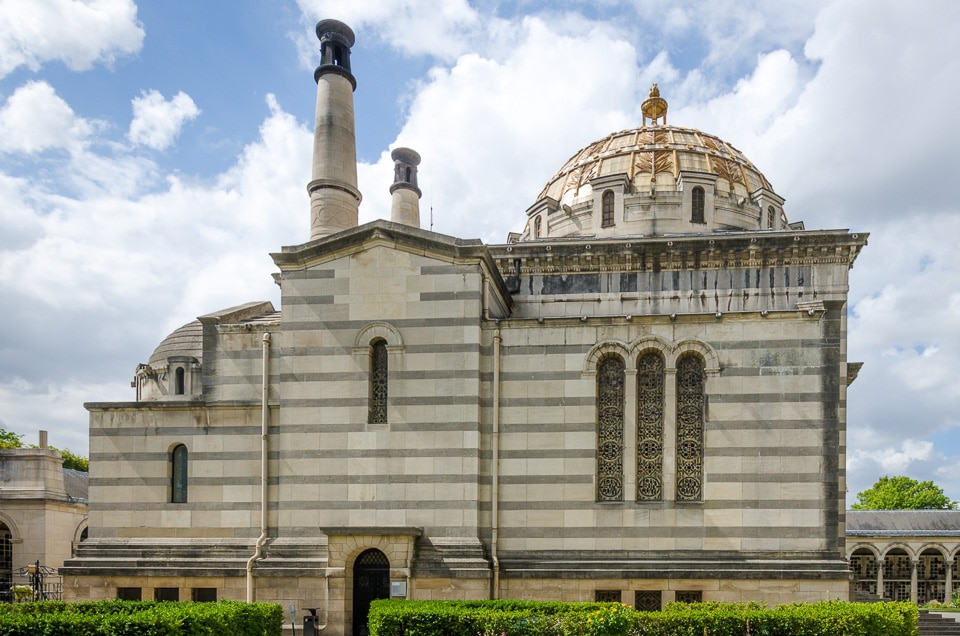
(650, 427)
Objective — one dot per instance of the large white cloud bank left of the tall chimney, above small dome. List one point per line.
(106, 277)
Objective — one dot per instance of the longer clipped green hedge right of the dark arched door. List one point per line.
(528, 618)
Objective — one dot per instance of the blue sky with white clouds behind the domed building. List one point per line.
(153, 154)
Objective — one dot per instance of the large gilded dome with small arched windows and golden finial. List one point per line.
(661, 179)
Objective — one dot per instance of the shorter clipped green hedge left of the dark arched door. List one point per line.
(140, 618)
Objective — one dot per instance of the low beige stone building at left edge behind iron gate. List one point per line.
(43, 516)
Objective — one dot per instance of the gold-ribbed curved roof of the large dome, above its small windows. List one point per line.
(653, 150)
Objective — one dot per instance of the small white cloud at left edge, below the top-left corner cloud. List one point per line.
(35, 119)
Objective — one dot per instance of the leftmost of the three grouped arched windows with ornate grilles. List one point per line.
(610, 396)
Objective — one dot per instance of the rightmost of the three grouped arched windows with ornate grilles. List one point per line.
(690, 392)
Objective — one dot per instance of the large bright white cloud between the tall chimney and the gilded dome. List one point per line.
(492, 131)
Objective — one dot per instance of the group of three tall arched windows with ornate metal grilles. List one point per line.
(656, 421)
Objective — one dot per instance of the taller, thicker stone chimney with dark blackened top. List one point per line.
(334, 197)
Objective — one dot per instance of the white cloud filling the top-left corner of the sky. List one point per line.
(80, 34)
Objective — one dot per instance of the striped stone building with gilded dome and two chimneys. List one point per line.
(639, 397)
